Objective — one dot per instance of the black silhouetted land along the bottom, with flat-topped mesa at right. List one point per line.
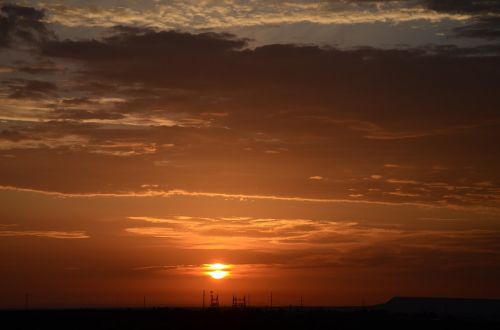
(398, 313)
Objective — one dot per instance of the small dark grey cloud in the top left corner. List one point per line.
(22, 24)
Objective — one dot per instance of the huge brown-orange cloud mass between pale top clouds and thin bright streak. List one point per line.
(252, 122)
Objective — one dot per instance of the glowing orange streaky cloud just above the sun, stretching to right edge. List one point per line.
(338, 245)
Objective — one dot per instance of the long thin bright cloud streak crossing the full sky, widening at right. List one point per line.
(429, 195)
